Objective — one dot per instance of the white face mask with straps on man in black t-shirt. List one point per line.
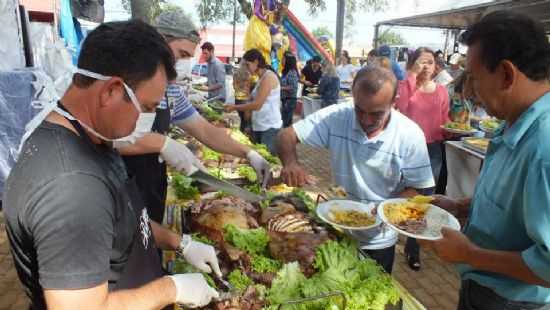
(144, 122)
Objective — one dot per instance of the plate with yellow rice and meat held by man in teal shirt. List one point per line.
(416, 217)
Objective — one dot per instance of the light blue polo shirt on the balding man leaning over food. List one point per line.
(371, 170)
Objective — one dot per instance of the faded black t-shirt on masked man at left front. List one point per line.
(66, 226)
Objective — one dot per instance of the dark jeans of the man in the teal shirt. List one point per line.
(477, 297)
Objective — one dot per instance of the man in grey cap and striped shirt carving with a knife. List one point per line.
(142, 157)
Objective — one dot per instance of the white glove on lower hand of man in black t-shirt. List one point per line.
(192, 290)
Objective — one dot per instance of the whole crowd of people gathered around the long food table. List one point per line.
(83, 221)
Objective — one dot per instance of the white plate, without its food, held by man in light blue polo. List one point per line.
(323, 211)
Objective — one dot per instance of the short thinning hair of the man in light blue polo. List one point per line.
(372, 78)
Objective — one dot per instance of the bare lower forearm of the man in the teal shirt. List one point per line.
(510, 264)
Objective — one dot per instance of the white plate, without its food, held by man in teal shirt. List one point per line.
(436, 218)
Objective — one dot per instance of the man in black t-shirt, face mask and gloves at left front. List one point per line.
(78, 230)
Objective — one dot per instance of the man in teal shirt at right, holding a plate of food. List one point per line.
(503, 255)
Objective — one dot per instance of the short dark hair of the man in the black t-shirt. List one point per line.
(131, 50)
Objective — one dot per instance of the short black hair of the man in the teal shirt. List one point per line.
(505, 35)
